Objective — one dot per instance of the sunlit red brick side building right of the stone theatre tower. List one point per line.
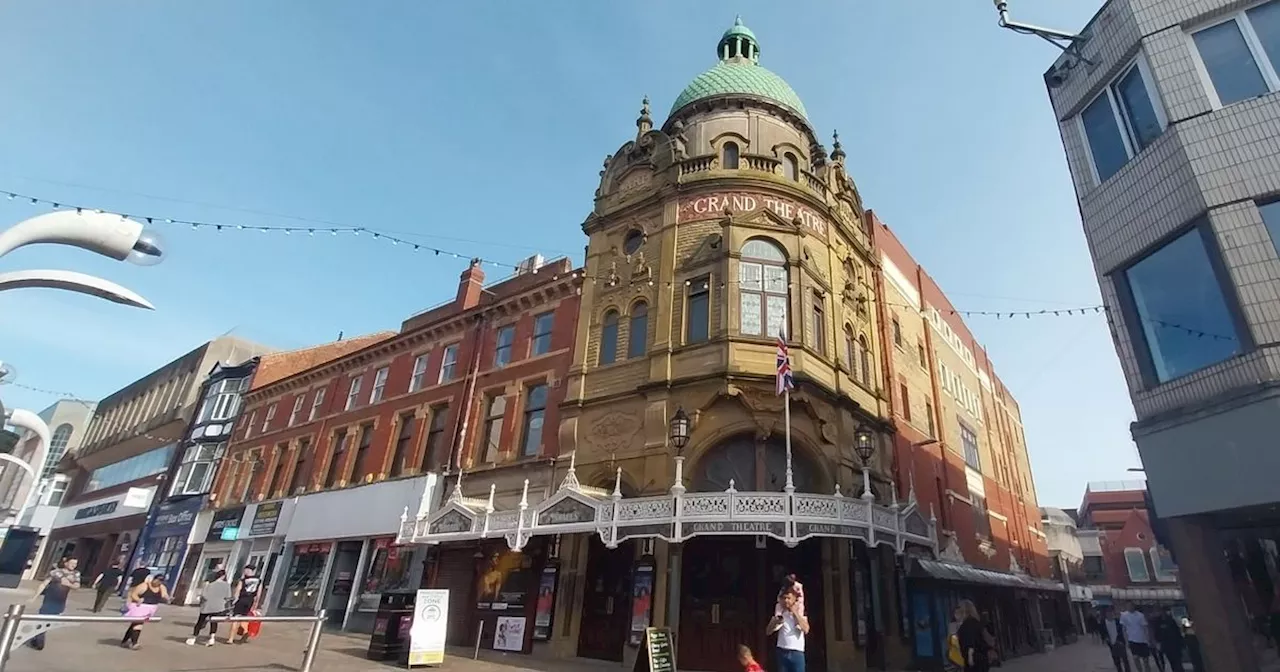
(962, 452)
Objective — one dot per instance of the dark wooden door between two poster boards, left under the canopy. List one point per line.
(606, 601)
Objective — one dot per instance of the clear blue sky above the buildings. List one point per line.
(481, 129)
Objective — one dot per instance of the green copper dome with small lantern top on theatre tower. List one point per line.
(739, 72)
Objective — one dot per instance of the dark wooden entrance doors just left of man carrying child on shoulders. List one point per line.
(721, 602)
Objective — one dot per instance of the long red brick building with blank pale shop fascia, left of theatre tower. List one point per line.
(364, 438)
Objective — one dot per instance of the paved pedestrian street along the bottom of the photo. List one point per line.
(97, 647)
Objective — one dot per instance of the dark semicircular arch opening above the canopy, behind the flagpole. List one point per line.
(756, 464)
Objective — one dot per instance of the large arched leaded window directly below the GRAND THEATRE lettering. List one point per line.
(762, 277)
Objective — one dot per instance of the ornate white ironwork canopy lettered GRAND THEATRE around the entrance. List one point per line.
(679, 516)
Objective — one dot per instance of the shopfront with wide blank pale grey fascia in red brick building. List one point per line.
(345, 564)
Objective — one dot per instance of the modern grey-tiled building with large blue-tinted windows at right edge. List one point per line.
(1171, 117)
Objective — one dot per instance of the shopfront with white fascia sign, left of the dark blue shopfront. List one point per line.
(99, 532)
